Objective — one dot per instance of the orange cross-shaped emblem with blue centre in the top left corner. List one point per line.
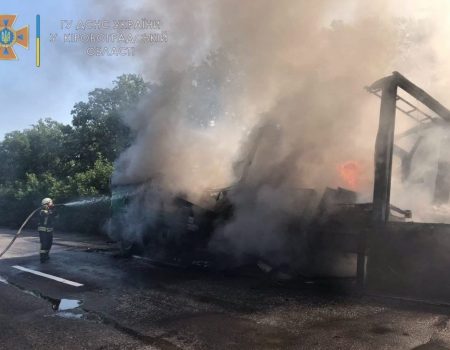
(10, 37)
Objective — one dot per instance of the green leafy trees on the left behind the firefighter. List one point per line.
(67, 162)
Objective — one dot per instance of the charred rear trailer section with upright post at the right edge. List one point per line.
(396, 257)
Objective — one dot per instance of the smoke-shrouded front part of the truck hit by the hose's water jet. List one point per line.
(166, 225)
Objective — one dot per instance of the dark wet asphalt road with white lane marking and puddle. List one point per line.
(104, 302)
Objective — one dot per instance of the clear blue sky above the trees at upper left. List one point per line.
(66, 74)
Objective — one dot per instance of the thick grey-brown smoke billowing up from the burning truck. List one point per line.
(298, 66)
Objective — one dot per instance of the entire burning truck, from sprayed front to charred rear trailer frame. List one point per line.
(389, 253)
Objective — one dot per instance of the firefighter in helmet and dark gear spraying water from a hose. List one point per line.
(47, 216)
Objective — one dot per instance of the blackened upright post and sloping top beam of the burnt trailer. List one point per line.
(386, 88)
